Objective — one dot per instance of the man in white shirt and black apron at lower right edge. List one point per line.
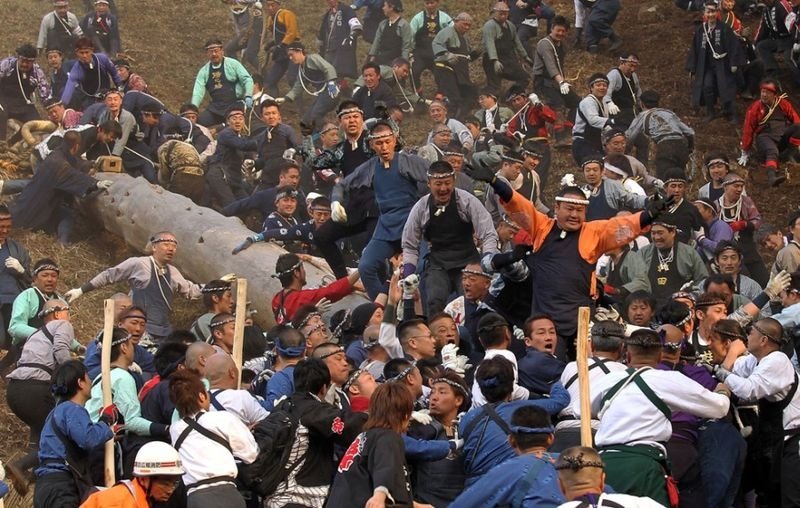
(767, 375)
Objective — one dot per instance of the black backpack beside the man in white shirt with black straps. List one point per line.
(275, 435)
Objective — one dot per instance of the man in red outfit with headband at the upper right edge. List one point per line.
(772, 124)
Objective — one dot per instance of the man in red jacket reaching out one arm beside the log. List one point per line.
(290, 271)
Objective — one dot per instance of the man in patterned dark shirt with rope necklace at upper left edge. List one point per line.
(20, 76)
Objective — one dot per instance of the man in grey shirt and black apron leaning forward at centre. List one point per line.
(449, 219)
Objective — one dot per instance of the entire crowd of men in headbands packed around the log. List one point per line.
(455, 381)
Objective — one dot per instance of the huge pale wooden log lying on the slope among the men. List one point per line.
(134, 209)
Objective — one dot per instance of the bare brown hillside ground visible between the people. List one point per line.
(164, 40)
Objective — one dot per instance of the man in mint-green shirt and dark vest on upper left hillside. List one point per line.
(226, 81)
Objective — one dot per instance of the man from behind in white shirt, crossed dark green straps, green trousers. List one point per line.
(634, 407)
